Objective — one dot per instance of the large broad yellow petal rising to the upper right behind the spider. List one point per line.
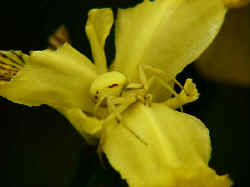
(166, 34)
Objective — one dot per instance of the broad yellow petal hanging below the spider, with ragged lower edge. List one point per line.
(177, 151)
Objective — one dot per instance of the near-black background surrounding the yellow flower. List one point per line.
(40, 148)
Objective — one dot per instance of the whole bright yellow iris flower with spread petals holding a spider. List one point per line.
(149, 143)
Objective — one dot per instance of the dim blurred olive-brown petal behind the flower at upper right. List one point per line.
(229, 56)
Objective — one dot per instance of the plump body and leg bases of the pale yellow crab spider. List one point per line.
(112, 88)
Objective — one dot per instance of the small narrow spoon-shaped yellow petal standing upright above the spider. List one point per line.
(97, 28)
